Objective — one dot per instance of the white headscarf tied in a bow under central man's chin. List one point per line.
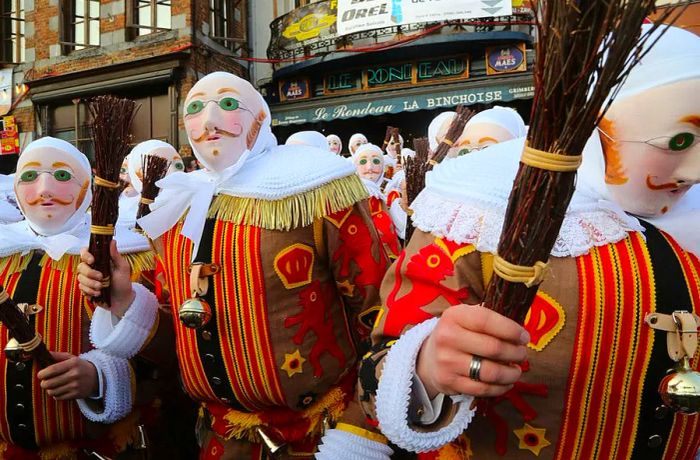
(194, 191)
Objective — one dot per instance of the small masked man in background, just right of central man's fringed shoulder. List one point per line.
(369, 161)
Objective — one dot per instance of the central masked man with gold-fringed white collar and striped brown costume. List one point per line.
(273, 266)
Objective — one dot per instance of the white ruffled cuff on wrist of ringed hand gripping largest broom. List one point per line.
(394, 396)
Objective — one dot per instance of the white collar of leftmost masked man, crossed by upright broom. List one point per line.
(19, 238)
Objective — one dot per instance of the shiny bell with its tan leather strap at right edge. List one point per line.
(680, 389)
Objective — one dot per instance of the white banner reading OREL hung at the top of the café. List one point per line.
(360, 15)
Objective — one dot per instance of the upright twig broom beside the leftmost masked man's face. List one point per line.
(111, 123)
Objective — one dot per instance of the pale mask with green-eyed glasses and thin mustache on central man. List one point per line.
(223, 116)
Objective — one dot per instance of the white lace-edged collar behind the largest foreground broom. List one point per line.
(465, 201)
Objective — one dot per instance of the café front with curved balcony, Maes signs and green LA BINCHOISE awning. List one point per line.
(401, 74)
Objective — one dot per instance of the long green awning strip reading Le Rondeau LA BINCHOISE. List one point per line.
(401, 103)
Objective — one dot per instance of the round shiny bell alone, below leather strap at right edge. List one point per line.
(680, 390)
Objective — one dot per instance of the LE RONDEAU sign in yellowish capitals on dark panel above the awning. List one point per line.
(397, 75)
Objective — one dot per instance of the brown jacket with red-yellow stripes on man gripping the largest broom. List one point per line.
(589, 387)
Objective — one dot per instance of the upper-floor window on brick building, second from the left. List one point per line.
(80, 22)
